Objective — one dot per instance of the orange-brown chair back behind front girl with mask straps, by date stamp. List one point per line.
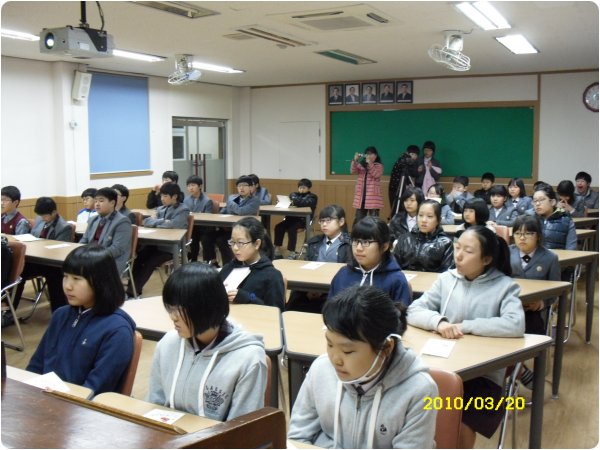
(448, 421)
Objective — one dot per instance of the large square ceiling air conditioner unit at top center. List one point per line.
(343, 18)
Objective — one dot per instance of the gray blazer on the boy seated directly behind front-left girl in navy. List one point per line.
(115, 237)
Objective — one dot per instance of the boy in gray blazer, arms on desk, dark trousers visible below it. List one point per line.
(172, 214)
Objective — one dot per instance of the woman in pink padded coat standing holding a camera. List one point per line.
(368, 199)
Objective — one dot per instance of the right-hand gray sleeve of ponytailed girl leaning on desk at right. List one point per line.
(510, 323)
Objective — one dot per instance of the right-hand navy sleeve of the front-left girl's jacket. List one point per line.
(112, 360)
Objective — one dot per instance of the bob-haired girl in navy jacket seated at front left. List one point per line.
(90, 341)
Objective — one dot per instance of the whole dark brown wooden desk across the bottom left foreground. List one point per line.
(55, 422)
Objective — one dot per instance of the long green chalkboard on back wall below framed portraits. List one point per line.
(469, 141)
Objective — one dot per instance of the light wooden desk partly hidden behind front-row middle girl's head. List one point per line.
(153, 322)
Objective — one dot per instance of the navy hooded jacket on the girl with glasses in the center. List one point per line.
(387, 277)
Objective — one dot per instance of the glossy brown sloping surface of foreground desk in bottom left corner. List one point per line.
(57, 423)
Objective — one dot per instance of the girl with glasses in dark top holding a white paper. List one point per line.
(253, 249)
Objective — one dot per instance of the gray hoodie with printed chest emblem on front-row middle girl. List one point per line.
(232, 375)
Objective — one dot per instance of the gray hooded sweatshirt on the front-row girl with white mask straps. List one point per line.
(401, 421)
